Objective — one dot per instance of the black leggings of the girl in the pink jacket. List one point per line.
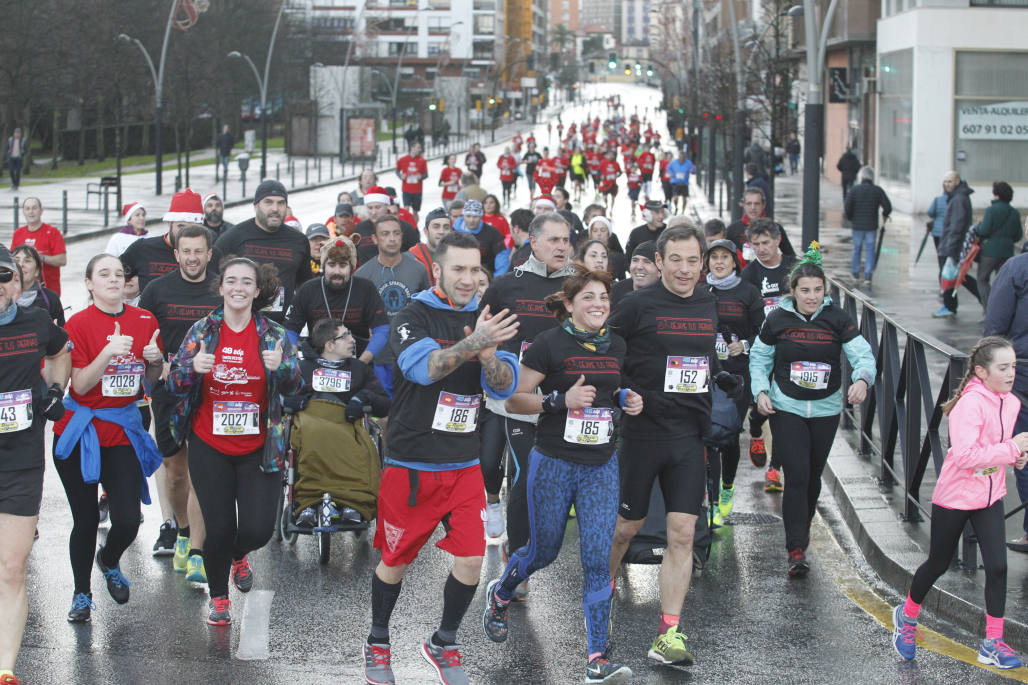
(947, 525)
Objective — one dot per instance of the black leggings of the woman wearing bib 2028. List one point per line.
(123, 479)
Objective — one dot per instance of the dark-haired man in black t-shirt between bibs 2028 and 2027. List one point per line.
(178, 301)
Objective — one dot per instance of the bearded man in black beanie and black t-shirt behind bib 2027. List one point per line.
(267, 240)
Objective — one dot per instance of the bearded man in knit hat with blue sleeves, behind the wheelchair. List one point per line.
(339, 295)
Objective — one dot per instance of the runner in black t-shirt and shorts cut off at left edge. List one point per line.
(28, 338)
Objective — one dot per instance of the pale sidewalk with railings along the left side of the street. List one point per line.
(138, 184)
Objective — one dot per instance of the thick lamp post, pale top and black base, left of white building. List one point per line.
(814, 114)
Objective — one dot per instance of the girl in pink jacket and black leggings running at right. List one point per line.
(972, 487)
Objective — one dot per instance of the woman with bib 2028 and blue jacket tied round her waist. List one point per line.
(102, 438)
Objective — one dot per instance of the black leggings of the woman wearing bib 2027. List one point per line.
(226, 486)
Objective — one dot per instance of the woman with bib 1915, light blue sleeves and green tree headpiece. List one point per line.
(796, 376)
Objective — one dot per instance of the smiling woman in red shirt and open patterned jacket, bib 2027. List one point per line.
(230, 377)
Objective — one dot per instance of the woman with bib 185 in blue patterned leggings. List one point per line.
(578, 368)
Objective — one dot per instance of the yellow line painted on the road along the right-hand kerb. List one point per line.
(841, 571)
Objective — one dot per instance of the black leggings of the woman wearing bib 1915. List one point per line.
(810, 443)
